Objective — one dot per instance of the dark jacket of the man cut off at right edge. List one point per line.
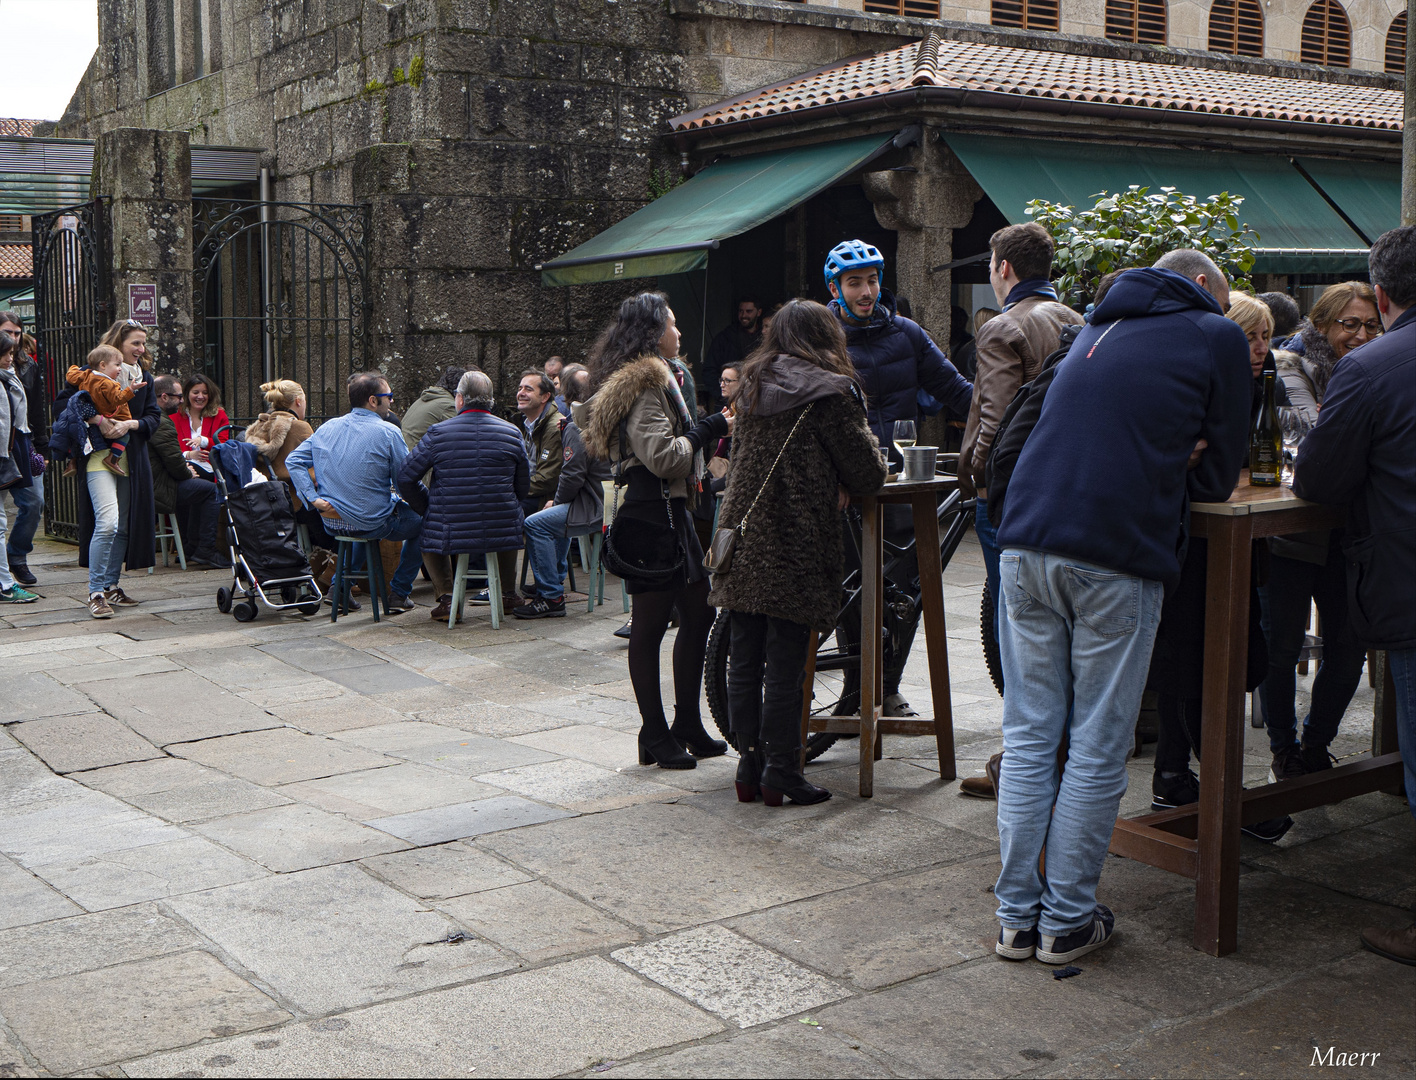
(1363, 452)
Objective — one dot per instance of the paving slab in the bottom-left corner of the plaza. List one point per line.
(100, 1017)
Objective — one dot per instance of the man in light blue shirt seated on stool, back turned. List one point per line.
(349, 472)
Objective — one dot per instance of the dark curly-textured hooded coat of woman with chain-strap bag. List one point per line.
(791, 557)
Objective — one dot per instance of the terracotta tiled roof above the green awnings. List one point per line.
(1063, 77)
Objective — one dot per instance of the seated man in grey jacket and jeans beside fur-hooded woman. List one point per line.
(578, 506)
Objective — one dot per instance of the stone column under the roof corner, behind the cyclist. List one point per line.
(924, 205)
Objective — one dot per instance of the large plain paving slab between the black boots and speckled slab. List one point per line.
(666, 867)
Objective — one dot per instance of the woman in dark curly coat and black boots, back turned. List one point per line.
(801, 449)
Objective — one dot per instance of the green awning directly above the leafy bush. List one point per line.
(1299, 233)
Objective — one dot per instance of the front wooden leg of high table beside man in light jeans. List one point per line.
(1227, 648)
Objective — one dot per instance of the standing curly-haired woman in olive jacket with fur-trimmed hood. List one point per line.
(642, 424)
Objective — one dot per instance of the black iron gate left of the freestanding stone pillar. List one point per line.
(73, 308)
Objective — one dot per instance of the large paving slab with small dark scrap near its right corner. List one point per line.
(342, 939)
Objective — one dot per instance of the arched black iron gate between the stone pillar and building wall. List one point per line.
(280, 295)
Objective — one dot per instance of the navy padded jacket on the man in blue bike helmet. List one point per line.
(896, 359)
